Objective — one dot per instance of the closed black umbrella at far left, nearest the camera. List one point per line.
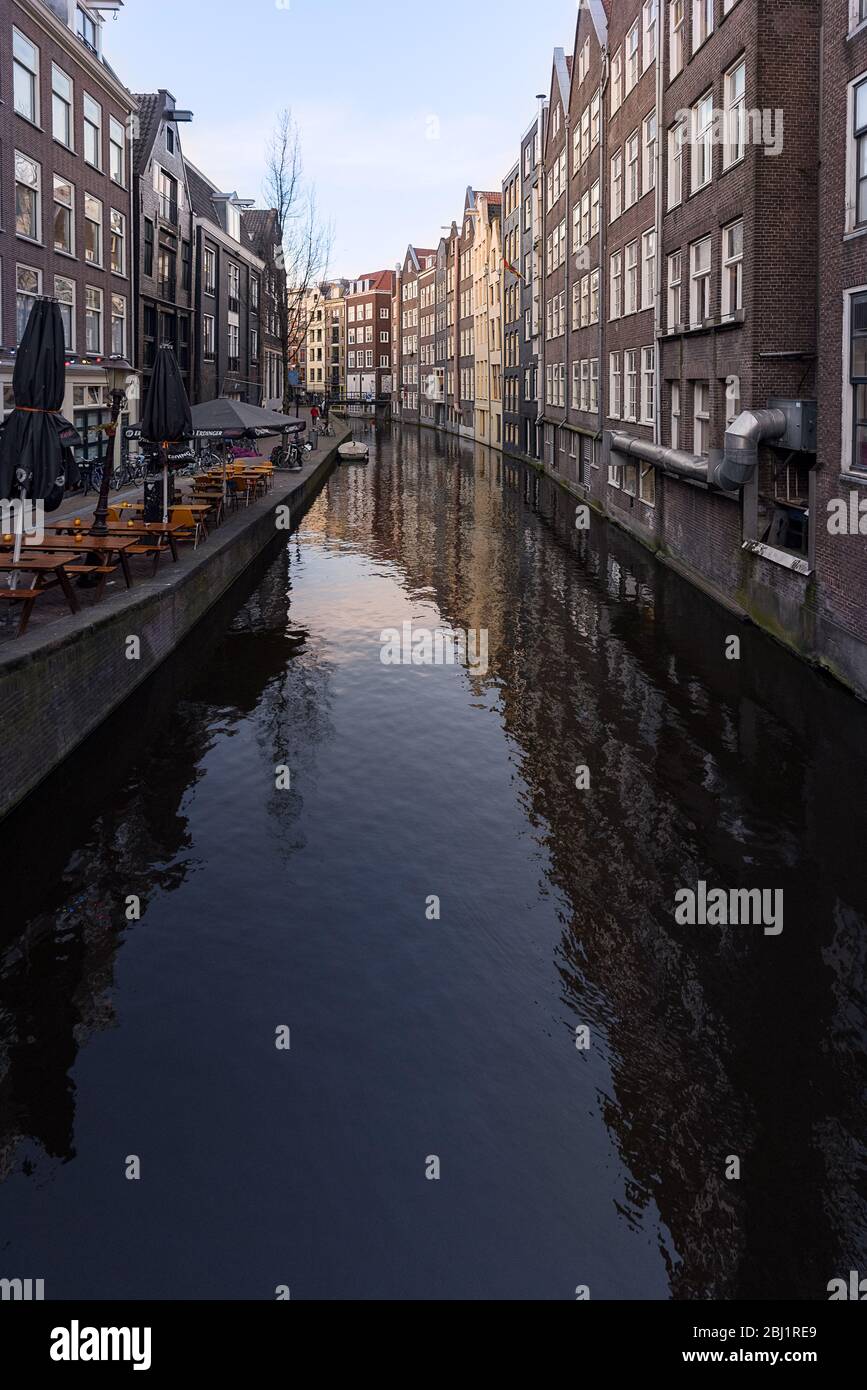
(37, 458)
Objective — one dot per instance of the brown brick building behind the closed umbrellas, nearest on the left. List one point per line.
(66, 218)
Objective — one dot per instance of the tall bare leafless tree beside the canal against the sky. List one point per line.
(299, 261)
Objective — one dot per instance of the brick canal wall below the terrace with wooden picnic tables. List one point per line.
(60, 683)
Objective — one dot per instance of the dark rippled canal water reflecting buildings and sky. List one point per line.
(511, 1072)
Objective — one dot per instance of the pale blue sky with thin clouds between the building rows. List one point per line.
(397, 113)
